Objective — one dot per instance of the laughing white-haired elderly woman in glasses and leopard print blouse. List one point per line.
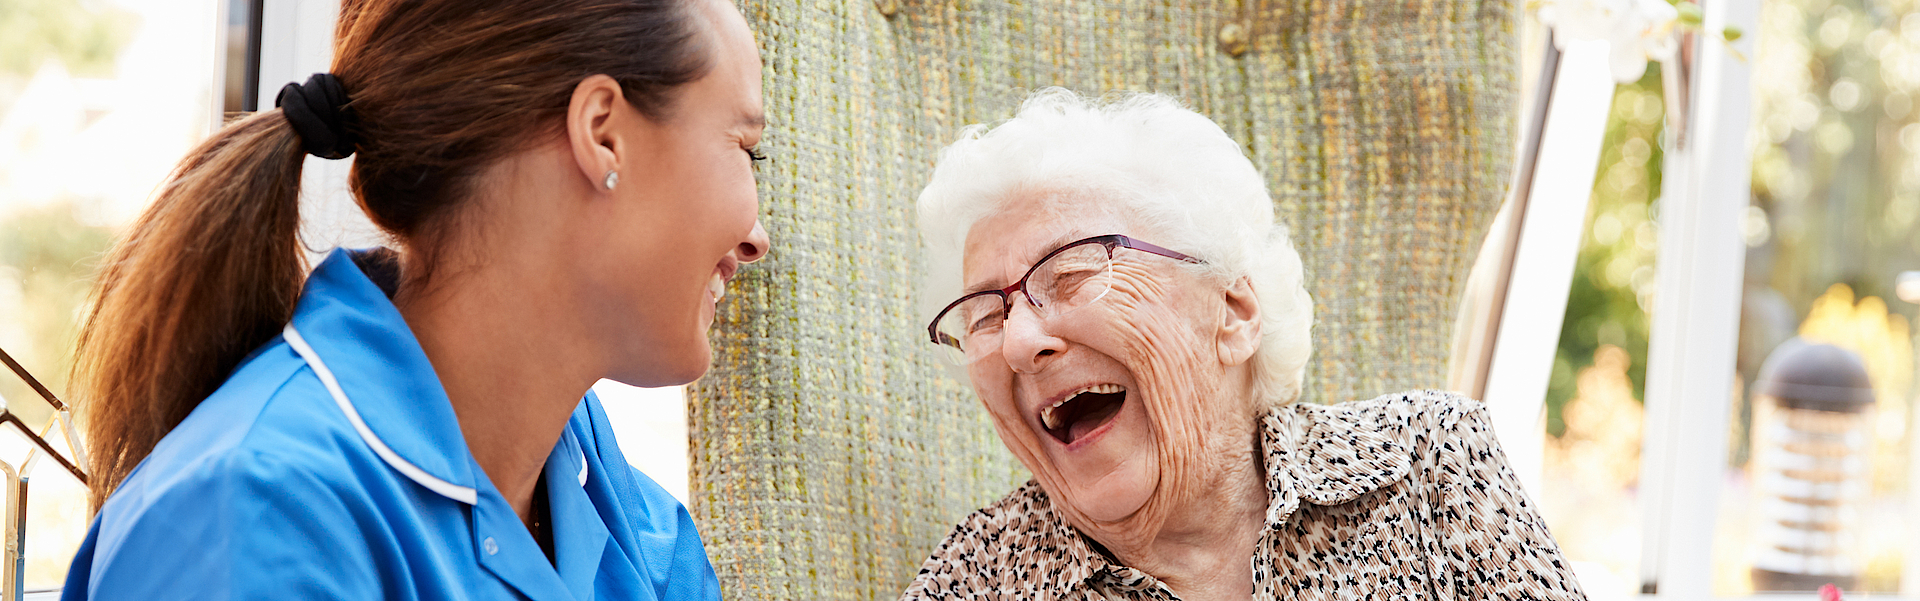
(1138, 327)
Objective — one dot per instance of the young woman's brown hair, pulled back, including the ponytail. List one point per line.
(439, 91)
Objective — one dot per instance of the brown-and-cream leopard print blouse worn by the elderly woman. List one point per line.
(1404, 496)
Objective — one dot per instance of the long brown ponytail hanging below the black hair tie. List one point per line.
(204, 277)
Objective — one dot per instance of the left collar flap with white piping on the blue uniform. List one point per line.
(358, 343)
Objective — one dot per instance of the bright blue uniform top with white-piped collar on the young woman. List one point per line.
(331, 468)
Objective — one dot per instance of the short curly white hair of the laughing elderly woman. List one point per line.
(1155, 160)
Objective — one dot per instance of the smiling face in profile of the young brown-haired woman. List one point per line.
(690, 210)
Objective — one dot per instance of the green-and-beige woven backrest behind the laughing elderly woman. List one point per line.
(832, 452)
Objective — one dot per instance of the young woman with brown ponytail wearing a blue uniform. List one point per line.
(567, 187)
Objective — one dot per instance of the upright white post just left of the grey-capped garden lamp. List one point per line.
(1696, 314)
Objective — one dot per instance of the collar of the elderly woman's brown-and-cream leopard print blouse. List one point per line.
(1318, 454)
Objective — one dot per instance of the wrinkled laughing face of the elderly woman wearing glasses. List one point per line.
(1092, 400)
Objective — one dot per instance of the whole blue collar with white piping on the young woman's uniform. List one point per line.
(364, 352)
